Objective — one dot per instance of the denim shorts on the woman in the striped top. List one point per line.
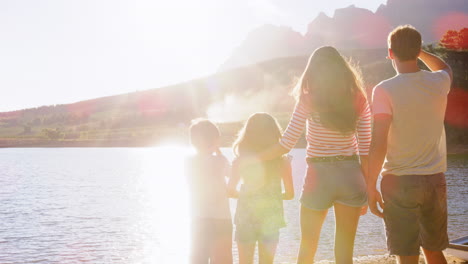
(332, 182)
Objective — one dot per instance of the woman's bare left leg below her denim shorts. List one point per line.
(311, 225)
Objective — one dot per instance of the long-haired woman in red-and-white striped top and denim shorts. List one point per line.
(331, 101)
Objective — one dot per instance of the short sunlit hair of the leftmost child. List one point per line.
(203, 132)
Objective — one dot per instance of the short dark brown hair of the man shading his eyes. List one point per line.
(405, 42)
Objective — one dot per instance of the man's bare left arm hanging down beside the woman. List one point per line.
(377, 155)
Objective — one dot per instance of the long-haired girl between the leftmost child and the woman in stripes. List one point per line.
(259, 213)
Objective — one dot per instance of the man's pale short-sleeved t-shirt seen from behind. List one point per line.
(416, 139)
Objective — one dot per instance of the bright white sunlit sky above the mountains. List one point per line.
(64, 51)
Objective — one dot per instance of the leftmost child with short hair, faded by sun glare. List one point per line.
(211, 217)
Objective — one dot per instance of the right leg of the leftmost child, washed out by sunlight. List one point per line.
(222, 248)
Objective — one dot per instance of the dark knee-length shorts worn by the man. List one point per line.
(415, 213)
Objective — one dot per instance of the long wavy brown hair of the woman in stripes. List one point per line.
(332, 88)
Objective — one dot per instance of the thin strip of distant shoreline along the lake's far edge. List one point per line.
(125, 143)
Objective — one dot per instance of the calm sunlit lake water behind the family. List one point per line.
(129, 205)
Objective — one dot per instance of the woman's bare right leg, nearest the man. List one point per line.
(346, 218)
